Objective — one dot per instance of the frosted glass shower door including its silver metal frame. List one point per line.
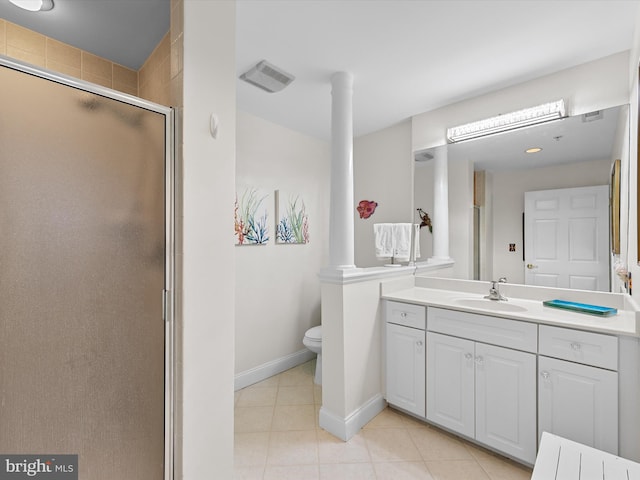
(86, 275)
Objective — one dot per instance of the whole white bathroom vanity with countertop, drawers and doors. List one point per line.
(502, 373)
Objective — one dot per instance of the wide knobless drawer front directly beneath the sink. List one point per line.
(493, 330)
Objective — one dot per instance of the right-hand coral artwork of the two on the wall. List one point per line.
(291, 214)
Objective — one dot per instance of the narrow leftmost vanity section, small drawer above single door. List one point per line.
(405, 356)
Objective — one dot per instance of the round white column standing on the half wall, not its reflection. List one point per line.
(341, 236)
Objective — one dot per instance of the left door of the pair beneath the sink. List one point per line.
(450, 382)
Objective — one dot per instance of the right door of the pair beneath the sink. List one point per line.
(506, 400)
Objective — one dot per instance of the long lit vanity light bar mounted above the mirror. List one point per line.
(509, 121)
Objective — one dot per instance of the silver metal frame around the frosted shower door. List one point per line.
(167, 296)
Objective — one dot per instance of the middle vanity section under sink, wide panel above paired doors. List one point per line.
(479, 387)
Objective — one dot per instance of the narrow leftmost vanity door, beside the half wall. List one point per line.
(405, 368)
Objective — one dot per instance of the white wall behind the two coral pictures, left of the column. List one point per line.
(277, 286)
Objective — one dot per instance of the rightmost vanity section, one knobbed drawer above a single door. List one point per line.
(578, 387)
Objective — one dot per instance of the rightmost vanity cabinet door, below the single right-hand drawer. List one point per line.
(578, 402)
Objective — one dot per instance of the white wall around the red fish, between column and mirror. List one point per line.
(382, 173)
